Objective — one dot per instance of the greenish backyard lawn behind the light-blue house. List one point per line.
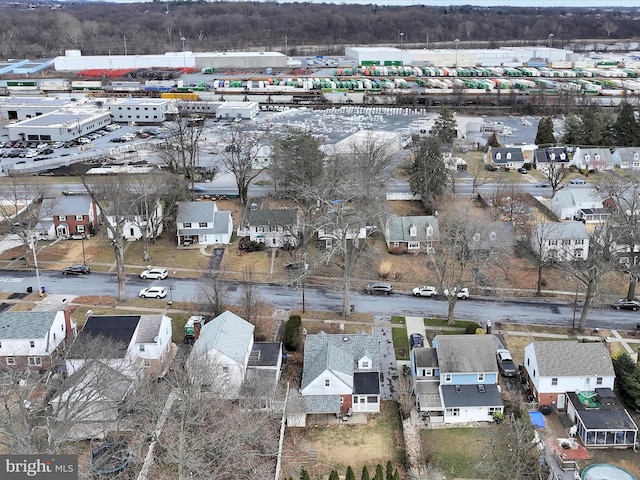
(457, 452)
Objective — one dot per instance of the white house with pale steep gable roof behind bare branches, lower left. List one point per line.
(221, 354)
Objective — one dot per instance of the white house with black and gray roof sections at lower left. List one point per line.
(138, 346)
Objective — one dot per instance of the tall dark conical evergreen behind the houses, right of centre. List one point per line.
(428, 176)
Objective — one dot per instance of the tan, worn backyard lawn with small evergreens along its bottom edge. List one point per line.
(339, 446)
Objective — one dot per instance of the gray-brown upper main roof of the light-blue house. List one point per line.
(466, 353)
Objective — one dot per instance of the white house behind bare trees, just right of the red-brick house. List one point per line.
(139, 222)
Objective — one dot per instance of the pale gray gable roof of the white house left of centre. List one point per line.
(228, 334)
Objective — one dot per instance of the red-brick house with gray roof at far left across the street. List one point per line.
(66, 217)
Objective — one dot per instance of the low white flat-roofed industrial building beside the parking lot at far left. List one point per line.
(61, 125)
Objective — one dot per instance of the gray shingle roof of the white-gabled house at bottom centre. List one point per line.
(339, 353)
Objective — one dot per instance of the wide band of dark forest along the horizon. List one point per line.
(294, 29)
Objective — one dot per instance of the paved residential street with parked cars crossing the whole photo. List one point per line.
(523, 311)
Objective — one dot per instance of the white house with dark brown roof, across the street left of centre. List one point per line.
(275, 228)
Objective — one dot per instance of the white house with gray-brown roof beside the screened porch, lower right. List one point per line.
(556, 367)
